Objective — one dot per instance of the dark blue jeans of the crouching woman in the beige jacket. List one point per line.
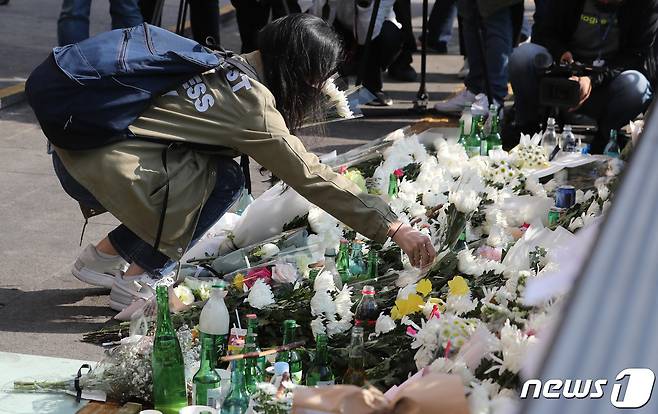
(230, 182)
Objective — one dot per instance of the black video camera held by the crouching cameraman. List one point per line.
(555, 88)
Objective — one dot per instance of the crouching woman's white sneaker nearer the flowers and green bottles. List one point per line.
(126, 289)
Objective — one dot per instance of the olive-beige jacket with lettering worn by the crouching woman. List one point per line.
(234, 114)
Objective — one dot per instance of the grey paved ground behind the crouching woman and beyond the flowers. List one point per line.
(43, 309)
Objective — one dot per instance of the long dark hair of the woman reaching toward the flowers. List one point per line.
(300, 52)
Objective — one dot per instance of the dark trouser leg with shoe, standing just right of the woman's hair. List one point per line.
(384, 49)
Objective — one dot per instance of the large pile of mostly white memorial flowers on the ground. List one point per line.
(466, 314)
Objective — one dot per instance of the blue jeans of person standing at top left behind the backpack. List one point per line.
(73, 22)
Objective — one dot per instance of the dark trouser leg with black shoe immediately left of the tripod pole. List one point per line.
(401, 69)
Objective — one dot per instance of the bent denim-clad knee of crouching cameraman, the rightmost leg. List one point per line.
(616, 104)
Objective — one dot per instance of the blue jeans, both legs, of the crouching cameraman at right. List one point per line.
(613, 105)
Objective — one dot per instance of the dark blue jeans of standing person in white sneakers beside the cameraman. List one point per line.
(498, 43)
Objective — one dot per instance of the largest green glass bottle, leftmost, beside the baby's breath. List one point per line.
(169, 389)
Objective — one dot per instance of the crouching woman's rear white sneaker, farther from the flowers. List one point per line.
(97, 268)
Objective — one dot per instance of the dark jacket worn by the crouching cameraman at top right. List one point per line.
(638, 21)
